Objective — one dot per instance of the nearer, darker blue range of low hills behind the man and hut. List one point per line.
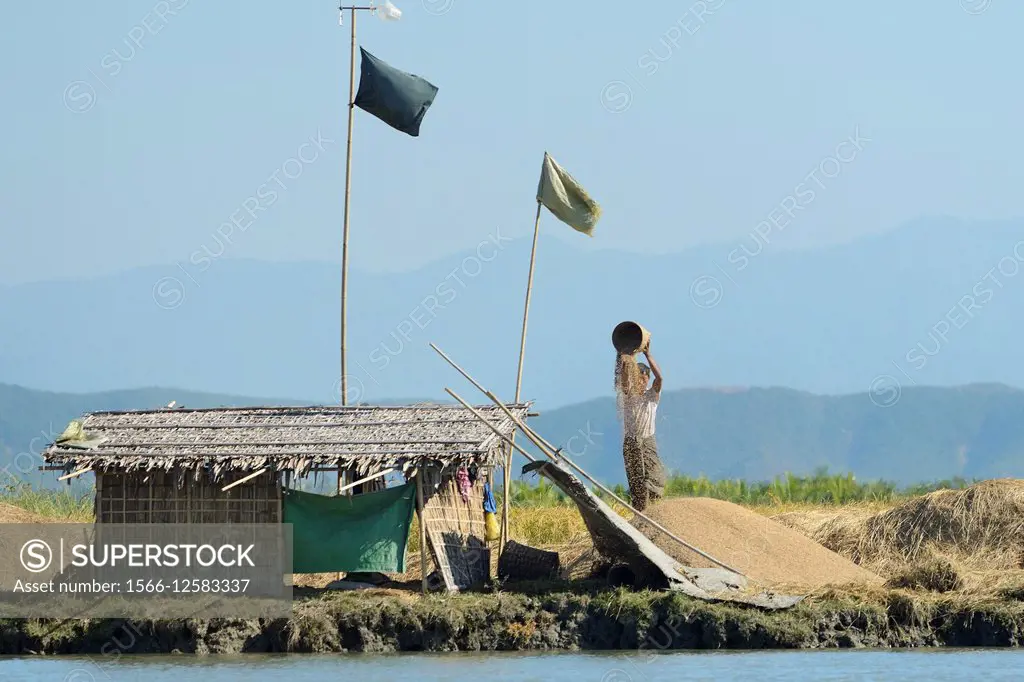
(918, 435)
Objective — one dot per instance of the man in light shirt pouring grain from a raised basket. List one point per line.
(645, 473)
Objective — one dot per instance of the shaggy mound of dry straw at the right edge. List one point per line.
(982, 527)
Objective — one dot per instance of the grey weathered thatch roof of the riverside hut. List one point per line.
(369, 439)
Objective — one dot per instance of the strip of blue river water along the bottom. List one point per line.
(852, 666)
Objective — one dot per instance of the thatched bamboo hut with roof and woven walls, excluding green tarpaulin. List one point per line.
(239, 465)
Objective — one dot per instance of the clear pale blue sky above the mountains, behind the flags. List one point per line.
(135, 133)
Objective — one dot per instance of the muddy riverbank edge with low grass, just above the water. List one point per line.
(389, 621)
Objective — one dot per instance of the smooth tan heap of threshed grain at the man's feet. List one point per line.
(767, 552)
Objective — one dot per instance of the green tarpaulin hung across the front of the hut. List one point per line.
(360, 533)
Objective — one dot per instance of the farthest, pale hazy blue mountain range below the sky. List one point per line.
(936, 303)
